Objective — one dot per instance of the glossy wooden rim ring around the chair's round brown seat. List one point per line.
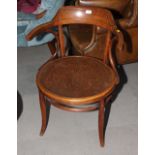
(73, 100)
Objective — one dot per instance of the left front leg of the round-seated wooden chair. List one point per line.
(43, 112)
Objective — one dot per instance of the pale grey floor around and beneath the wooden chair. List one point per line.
(71, 133)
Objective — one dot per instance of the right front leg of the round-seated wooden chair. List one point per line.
(101, 122)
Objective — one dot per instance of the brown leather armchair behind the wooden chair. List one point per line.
(90, 38)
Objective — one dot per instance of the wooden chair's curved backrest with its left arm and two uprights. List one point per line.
(78, 15)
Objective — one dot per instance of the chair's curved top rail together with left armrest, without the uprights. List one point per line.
(77, 15)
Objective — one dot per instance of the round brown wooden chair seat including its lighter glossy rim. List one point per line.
(75, 80)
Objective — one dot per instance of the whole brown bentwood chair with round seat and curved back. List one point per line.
(75, 83)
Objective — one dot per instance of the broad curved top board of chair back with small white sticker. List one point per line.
(85, 15)
